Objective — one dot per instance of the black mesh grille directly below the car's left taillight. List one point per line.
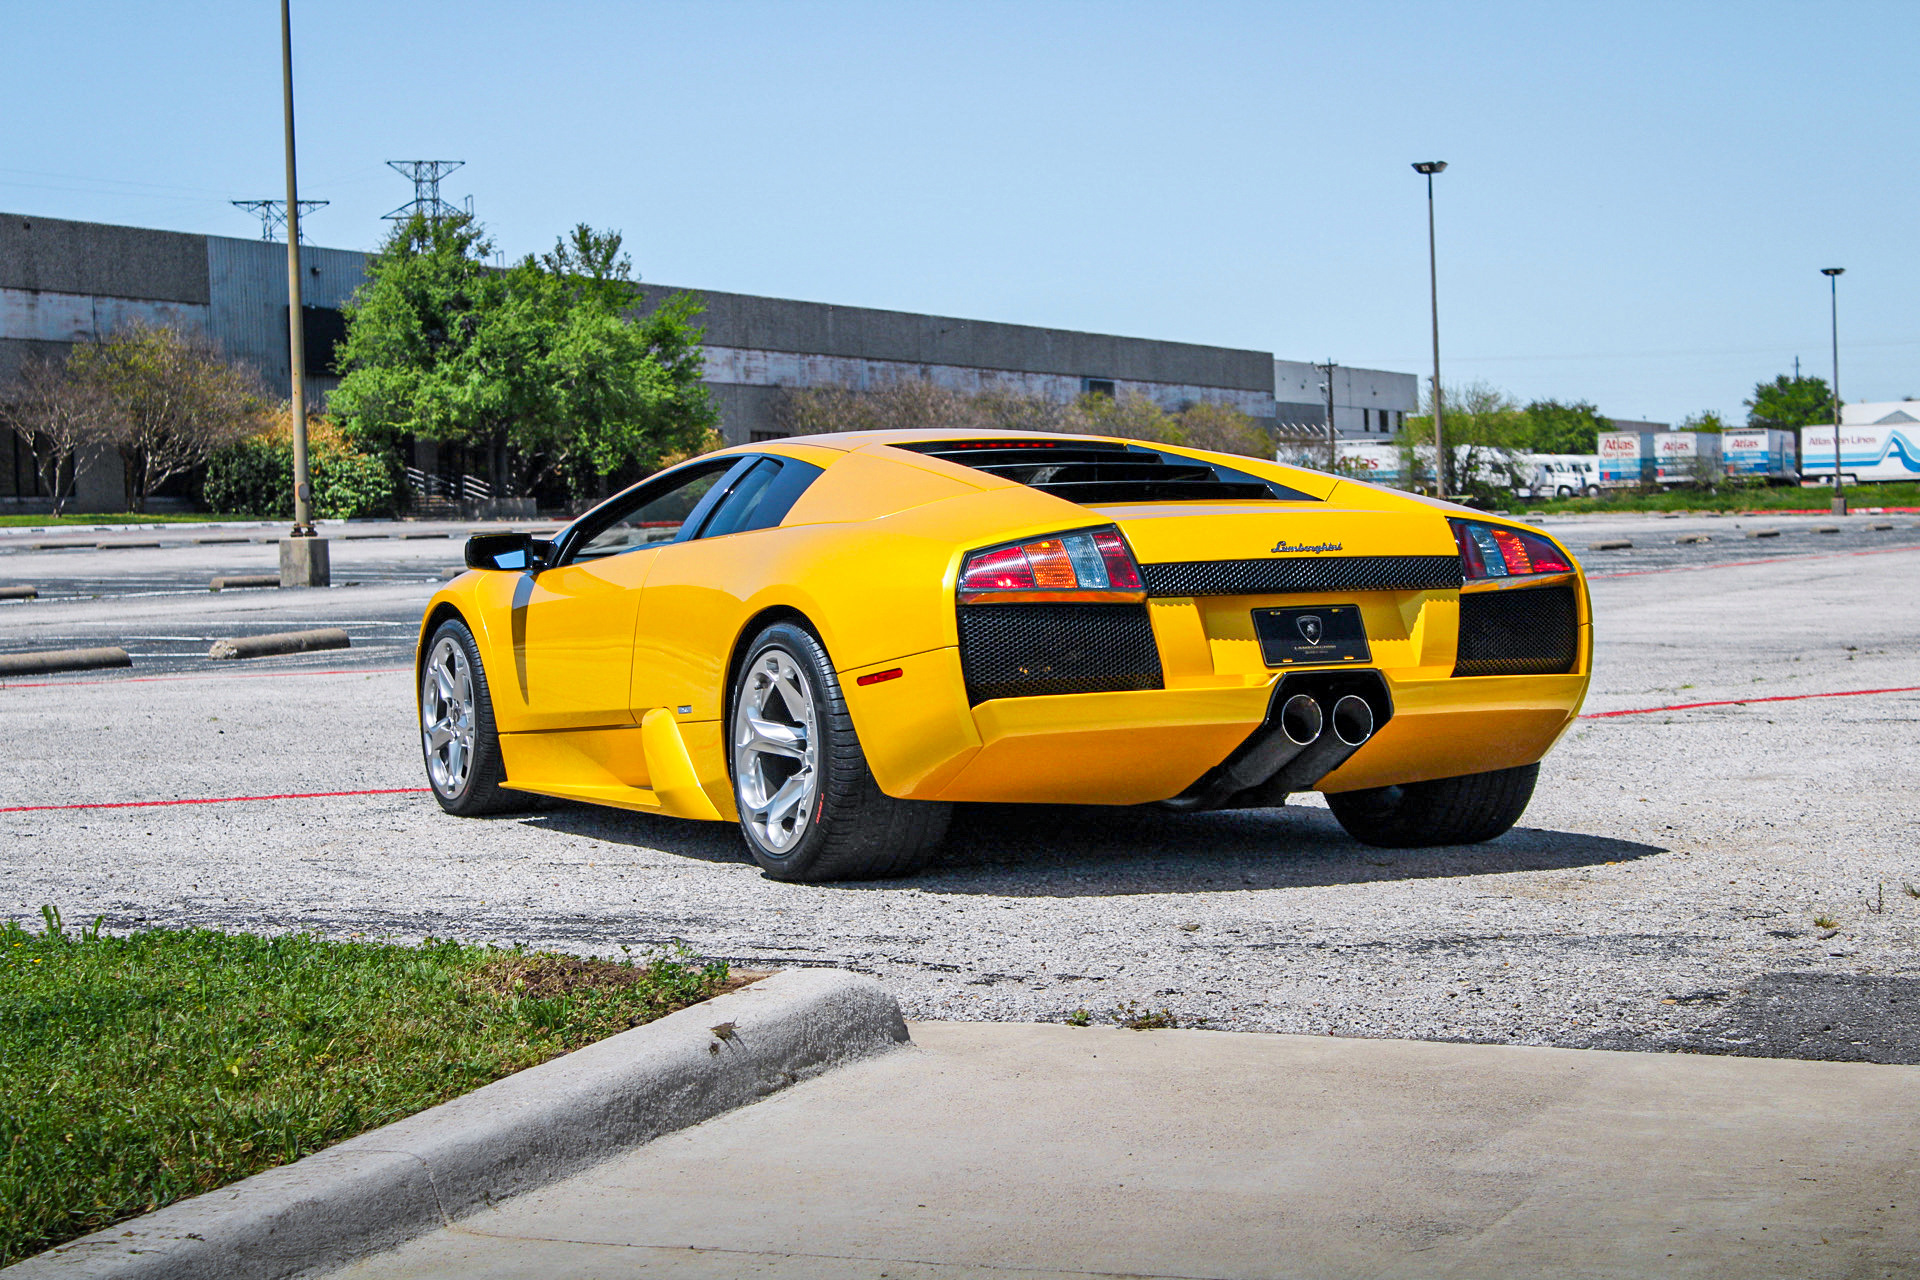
(1022, 652)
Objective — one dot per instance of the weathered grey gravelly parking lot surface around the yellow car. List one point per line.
(1666, 891)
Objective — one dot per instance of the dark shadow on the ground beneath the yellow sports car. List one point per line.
(1045, 851)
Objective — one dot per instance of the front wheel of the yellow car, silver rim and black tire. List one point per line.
(458, 734)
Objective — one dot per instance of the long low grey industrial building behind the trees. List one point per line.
(66, 283)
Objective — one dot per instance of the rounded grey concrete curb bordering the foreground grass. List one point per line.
(544, 1124)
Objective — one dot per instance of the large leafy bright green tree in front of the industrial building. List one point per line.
(540, 366)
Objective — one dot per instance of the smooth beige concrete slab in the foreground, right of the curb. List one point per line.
(1044, 1150)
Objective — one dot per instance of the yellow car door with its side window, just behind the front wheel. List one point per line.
(573, 623)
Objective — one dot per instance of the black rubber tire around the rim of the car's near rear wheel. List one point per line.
(853, 830)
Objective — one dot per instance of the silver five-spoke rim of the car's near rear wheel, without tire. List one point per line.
(777, 753)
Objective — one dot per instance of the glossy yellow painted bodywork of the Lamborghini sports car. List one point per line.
(612, 678)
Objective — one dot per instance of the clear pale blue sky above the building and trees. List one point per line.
(1637, 206)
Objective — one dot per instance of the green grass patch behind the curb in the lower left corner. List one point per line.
(139, 1070)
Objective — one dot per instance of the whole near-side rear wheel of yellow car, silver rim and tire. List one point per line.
(807, 799)
